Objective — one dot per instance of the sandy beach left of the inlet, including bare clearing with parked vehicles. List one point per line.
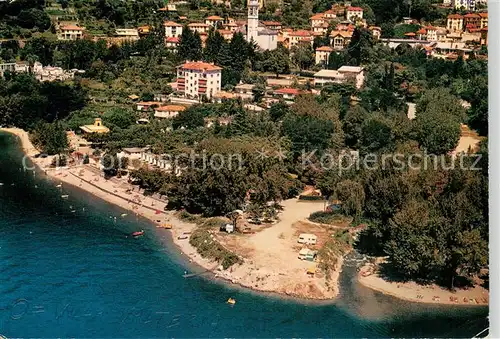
(270, 258)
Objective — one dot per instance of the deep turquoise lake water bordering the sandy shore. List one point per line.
(78, 274)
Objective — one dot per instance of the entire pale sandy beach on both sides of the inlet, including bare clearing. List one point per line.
(270, 262)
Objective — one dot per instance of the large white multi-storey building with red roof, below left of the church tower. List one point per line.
(197, 79)
